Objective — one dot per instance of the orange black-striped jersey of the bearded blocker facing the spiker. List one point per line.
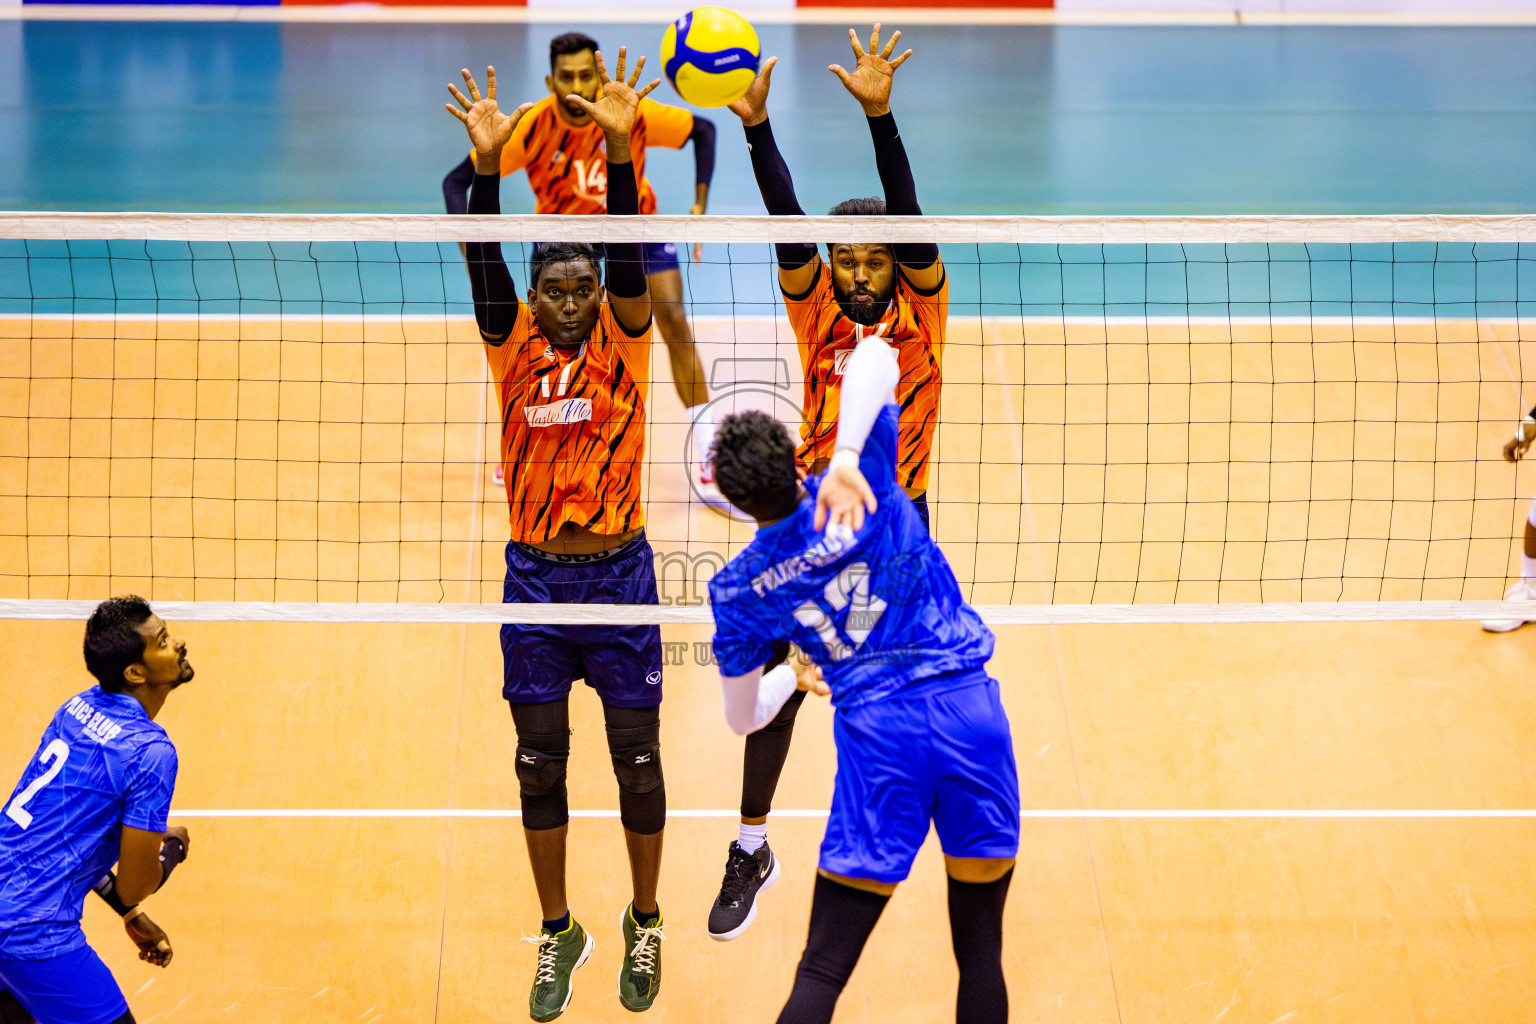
(916, 329)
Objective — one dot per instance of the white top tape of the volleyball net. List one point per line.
(531, 228)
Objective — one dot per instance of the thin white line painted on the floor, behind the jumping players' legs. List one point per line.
(1027, 813)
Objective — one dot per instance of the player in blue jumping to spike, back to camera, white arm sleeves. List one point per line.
(919, 727)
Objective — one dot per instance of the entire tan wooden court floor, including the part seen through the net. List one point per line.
(1070, 455)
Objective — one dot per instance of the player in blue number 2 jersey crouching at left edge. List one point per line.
(96, 794)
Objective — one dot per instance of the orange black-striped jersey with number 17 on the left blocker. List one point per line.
(572, 428)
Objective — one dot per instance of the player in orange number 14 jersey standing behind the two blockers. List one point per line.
(561, 150)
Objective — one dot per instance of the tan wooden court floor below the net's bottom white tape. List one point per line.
(1121, 919)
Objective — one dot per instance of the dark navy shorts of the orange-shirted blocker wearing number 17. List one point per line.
(623, 664)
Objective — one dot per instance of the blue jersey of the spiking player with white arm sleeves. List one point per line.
(878, 613)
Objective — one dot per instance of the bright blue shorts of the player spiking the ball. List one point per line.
(939, 753)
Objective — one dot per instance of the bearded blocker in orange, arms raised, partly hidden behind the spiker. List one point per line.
(896, 292)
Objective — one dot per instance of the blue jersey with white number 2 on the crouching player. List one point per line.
(102, 765)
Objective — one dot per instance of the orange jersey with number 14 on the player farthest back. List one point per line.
(568, 165)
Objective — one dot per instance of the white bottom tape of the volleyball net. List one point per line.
(19, 609)
